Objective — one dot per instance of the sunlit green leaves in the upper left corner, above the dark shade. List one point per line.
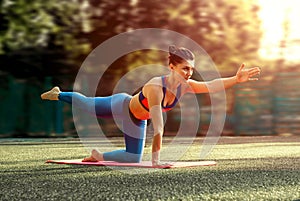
(40, 23)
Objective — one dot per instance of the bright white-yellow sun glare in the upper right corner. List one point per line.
(280, 21)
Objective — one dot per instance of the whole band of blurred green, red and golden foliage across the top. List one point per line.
(59, 33)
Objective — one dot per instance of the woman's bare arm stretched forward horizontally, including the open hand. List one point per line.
(242, 75)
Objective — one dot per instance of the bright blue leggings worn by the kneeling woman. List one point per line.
(114, 106)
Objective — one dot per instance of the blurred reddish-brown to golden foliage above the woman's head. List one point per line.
(228, 30)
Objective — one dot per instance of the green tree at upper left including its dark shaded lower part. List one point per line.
(42, 37)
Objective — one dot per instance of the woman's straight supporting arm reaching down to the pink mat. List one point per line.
(154, 95)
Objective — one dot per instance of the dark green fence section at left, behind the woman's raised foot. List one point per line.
(23, 113)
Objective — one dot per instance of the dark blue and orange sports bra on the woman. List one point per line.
(144, 102)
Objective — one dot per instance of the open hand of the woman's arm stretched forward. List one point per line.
(244, 75)
